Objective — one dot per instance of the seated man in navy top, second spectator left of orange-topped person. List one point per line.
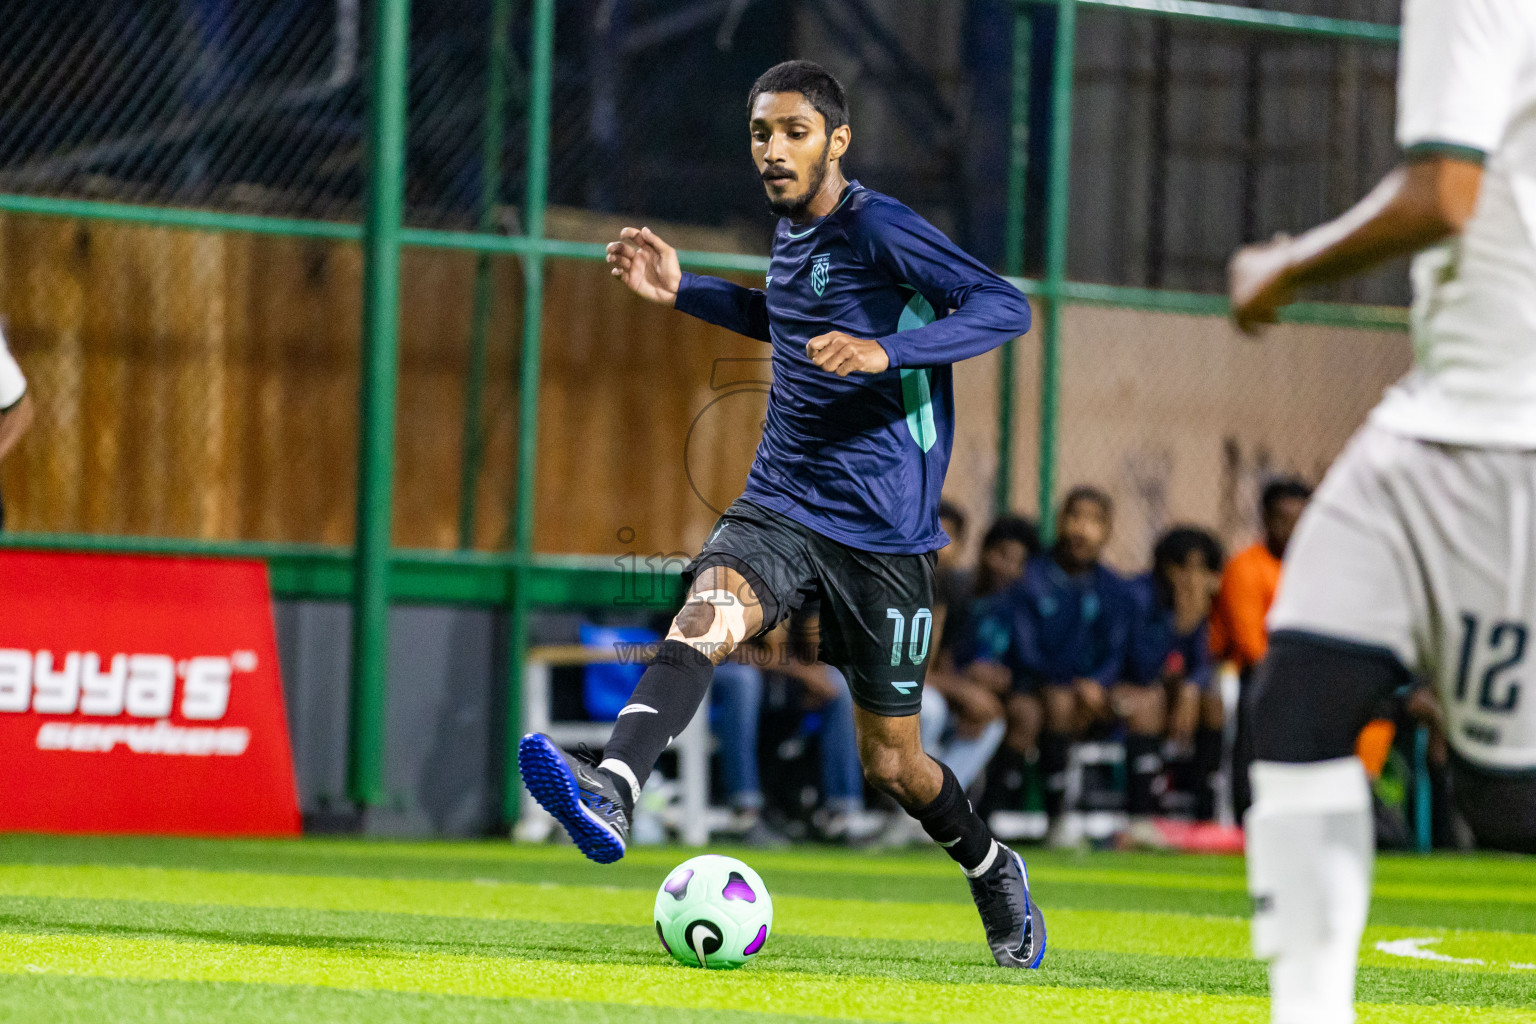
(1062, 633)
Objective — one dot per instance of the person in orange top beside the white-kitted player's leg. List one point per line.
(1237, 621)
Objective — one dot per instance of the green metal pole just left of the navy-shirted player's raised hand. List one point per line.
(541, 73)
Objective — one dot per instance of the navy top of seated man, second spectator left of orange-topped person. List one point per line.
(1053, 627)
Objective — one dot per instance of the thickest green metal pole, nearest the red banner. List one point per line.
(380, 369)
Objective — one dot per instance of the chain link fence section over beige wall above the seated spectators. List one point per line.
(1183, 421)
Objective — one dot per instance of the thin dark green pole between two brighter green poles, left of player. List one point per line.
(495, 133)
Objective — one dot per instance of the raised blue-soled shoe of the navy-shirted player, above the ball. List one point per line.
(584, 801)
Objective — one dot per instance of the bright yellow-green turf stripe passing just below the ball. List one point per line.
(812, 996)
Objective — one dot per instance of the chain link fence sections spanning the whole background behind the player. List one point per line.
(204, 385)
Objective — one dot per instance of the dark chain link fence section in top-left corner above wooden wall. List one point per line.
(242, 107)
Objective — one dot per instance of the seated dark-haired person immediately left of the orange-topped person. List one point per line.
(1171, 647)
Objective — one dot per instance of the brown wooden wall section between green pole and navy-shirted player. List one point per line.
(623, 386)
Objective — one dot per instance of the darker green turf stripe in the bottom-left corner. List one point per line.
(76, 1000)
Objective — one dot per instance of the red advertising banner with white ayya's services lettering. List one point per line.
(141, 695)
